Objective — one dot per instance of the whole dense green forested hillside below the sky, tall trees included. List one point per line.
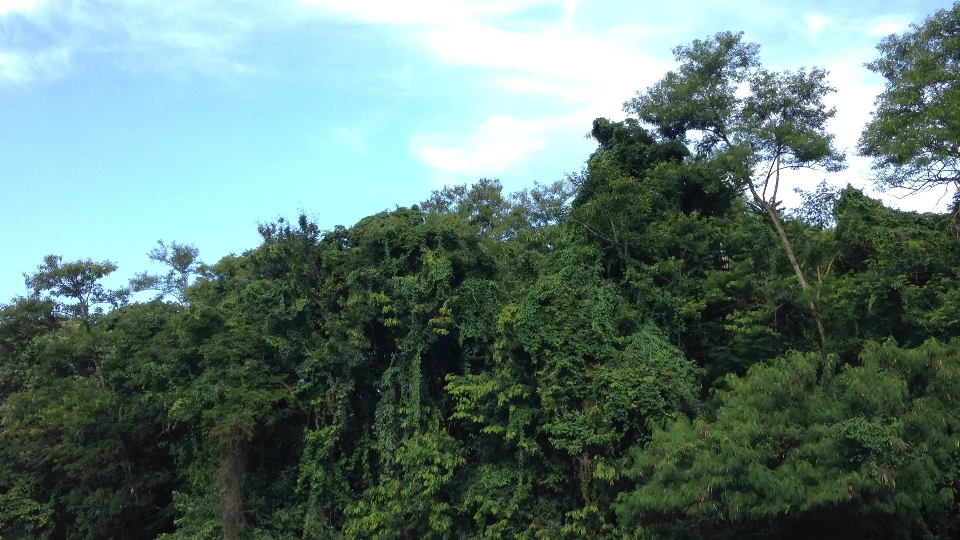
(651, 348)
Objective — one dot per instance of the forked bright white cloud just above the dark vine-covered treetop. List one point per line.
(547, 61)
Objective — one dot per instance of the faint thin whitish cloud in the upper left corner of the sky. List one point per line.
(200, 36)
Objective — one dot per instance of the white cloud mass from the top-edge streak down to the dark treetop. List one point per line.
(555, 58)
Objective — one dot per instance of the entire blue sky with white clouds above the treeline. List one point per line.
(124, 122)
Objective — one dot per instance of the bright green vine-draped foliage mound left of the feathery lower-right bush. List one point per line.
(576, 378)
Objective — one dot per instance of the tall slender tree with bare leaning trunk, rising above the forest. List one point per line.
(779, 126)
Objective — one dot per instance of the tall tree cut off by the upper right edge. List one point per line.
(914, 136)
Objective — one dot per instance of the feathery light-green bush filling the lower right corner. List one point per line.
(797, 446)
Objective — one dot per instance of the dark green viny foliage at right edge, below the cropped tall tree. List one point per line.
(895, 275)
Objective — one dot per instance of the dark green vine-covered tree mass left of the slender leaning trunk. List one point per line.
(692, 257)
